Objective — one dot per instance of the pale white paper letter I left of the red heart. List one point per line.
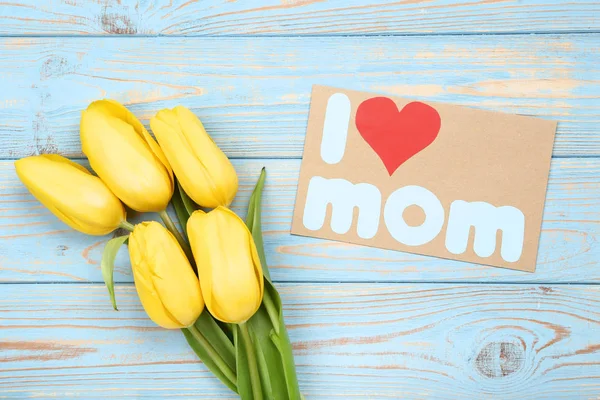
(335, 128)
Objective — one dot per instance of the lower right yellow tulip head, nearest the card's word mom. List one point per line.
(228, 265)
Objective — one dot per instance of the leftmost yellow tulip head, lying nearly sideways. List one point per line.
(78, 198)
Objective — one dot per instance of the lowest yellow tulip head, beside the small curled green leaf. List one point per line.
(165, 282)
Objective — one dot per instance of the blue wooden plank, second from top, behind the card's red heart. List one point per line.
(253, 94)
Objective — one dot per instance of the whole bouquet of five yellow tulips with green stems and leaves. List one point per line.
(211, 279)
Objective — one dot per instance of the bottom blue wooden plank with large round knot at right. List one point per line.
(350, 340)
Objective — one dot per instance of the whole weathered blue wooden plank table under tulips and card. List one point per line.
(365, 323)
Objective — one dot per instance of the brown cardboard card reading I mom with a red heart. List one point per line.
(424, 177)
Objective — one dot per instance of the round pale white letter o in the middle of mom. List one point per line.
(397, 226)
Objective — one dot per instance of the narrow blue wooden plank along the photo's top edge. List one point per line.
(272, 17)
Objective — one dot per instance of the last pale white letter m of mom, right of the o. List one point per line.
(487, 220)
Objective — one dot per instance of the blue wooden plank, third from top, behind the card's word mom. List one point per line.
(36, 247)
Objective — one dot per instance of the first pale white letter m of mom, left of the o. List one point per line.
(343, 197)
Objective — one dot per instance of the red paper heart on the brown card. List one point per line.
(396, 135)
